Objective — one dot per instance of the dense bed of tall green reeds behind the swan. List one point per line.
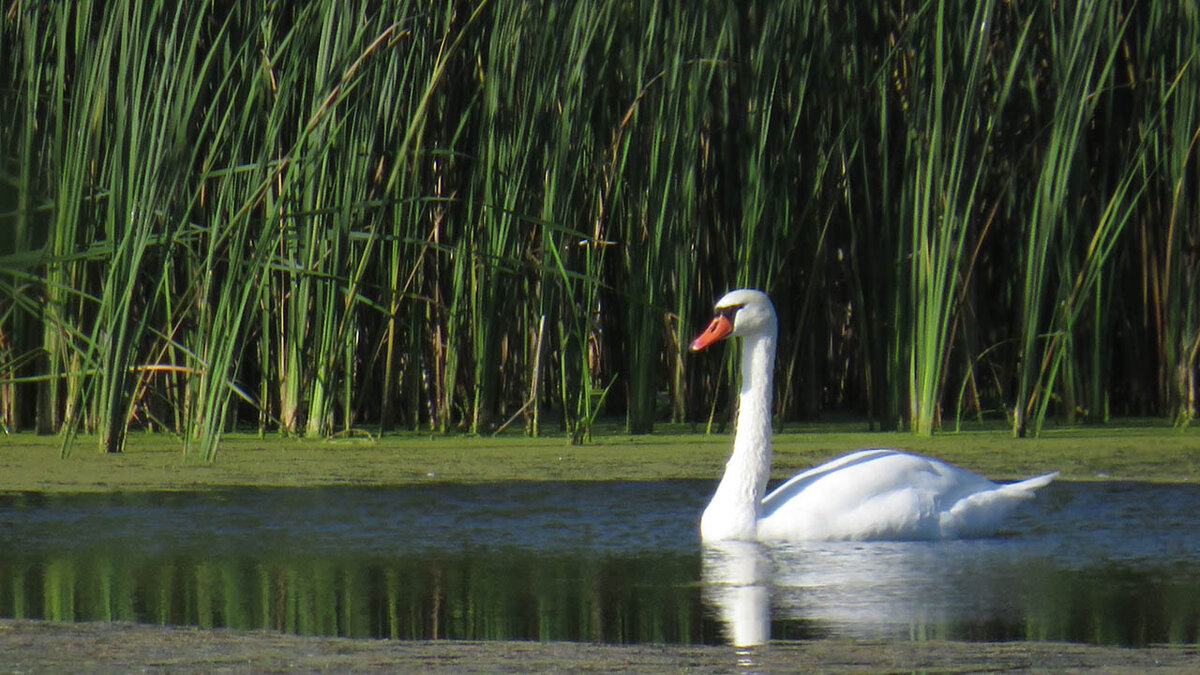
(343, 218)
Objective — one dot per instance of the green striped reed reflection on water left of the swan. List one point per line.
(472, 595)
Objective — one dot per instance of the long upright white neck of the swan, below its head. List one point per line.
(735, 510)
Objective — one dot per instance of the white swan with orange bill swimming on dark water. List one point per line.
(879, 494)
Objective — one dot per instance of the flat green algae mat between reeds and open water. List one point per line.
(1137, 451)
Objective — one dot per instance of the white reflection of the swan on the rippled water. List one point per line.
(868, 589)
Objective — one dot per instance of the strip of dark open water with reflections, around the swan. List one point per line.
(617, 563)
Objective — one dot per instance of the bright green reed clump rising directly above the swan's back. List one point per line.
(950, 163)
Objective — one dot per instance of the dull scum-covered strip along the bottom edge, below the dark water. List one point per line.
(119, 648)
